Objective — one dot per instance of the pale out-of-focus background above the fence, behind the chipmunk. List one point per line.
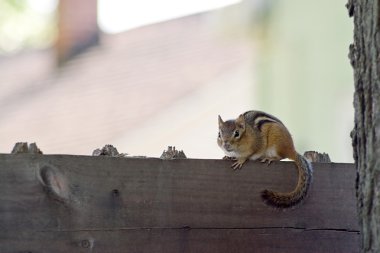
(143, 75)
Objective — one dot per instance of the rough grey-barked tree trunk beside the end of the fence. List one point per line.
(365, 59)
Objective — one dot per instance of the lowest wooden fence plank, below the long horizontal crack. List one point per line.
(185, 241)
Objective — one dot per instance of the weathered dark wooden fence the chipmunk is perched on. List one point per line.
(60, 203)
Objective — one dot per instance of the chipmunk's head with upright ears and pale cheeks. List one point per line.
(230, 133)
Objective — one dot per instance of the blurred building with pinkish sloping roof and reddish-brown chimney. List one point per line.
(141, 90)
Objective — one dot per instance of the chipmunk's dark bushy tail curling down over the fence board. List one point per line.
(290, 199)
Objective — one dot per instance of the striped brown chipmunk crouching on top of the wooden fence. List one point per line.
(257, 135)
